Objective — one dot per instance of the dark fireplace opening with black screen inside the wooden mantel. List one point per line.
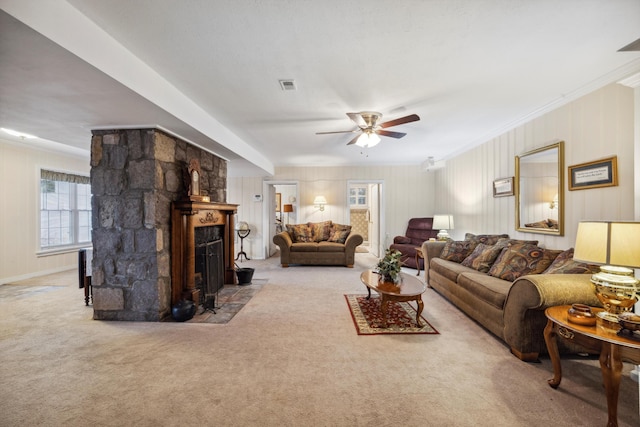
(209, 264)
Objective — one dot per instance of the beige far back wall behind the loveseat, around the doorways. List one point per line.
(408, 192)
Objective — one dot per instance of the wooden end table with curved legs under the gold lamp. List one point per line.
(612, 348)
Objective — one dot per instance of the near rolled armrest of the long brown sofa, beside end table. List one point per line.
(528, 297)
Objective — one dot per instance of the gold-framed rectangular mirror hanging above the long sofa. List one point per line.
(539, 191)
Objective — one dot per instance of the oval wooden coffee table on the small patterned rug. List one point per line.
(410, 289)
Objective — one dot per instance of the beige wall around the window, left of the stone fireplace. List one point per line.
(19, 219)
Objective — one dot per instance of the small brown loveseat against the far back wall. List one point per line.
(320, 243)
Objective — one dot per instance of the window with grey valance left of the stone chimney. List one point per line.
(65, 210)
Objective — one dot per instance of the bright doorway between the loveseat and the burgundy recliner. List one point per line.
(366, 217)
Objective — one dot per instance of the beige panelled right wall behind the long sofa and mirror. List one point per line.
(595, 126)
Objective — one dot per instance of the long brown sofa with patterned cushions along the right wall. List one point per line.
(505, 285)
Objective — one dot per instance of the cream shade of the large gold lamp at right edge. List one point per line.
(608, 243)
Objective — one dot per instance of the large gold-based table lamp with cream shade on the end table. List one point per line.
(616, 247)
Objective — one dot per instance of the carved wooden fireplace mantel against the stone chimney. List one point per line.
(186, 216)
